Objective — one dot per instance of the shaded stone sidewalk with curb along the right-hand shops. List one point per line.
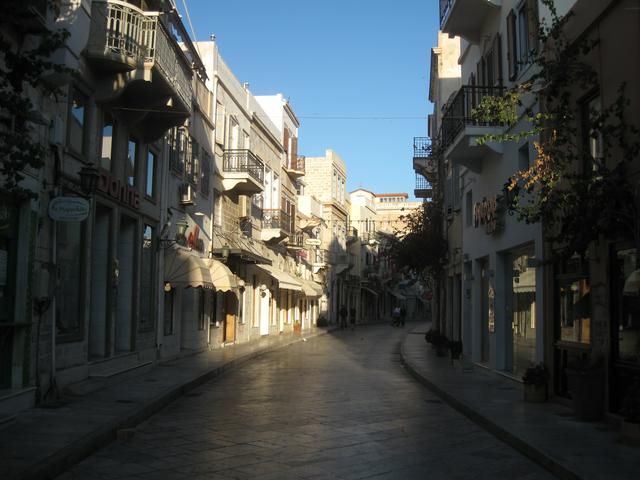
(546, 432)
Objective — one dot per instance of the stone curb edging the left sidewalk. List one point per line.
(81, 448)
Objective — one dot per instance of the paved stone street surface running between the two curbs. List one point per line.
(337, 406)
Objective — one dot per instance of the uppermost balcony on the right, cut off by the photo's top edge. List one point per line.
(465, 18)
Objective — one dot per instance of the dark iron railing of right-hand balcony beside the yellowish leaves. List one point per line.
(458, 113)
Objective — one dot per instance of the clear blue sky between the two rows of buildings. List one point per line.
(336, 60)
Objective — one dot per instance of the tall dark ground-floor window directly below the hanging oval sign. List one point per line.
(69, 248)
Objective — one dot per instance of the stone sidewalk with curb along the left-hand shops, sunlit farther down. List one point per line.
(43, 442)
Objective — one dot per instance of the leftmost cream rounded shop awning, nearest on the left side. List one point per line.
(184, 268)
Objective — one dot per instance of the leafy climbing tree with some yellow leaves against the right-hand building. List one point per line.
(580, 186)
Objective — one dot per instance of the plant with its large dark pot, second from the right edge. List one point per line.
(585, 381)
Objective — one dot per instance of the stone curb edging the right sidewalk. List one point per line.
(529, 451)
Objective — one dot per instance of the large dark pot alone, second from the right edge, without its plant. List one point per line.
(587, 393)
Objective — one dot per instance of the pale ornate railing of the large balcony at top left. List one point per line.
(120, 29)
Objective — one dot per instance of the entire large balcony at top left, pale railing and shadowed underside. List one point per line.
(144, 67)
